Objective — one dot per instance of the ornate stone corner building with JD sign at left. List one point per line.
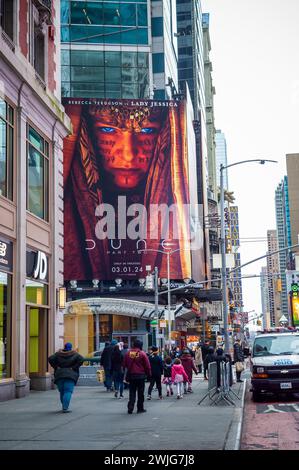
(32, 128)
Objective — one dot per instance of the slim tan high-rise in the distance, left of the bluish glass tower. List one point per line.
(274, 283)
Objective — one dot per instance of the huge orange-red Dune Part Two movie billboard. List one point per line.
(127, 190)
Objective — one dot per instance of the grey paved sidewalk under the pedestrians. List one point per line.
(100, 421)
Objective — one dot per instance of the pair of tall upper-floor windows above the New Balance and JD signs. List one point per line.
(37, 163)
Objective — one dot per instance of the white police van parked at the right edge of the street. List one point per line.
(274, 363)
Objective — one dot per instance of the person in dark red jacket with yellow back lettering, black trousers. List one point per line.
(137, 368)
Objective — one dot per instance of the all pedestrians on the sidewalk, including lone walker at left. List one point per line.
(131, 368)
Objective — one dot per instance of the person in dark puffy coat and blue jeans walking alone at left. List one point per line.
(66, 363)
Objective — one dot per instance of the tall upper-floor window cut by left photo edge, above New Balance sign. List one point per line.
(6, 149)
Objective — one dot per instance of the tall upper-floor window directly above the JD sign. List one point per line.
(37, 174)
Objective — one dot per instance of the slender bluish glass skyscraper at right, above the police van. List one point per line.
(284, 237)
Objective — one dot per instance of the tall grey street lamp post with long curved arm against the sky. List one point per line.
(223, 247)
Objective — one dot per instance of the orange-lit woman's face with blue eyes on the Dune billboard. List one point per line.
(126, 154)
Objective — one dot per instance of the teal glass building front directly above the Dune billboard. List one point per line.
(106, 49)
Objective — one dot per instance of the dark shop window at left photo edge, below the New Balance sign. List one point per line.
(5, 324)
